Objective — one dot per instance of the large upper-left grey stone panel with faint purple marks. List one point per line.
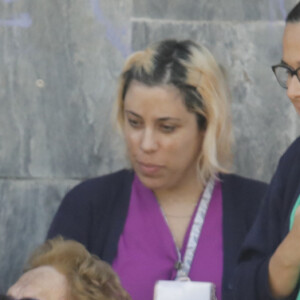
(59, 65)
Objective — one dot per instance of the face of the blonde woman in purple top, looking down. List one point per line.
(162, 136)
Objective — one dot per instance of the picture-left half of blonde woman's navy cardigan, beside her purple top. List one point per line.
(94, 212)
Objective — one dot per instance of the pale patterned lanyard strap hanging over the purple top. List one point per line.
(185, 266)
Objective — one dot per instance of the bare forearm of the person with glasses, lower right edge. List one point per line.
(284, 265)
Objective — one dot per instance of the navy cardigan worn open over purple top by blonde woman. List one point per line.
(95, 211)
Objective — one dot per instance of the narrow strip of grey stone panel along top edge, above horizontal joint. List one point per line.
(229, 10)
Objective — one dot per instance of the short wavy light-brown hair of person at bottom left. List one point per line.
(89, 278)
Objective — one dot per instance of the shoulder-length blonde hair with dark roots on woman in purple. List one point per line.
(192, 69)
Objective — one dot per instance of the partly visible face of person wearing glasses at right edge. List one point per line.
(291, 56)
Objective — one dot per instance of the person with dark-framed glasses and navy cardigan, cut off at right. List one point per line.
(269, 264)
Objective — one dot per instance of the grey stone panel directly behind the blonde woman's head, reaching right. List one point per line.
(264, 121)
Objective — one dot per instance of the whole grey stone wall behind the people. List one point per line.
(59, 66)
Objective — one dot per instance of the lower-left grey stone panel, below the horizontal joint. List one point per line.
(27, 208)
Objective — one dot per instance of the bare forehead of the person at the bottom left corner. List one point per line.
(42, 283)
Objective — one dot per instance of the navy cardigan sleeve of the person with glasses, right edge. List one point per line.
(270, 228)
